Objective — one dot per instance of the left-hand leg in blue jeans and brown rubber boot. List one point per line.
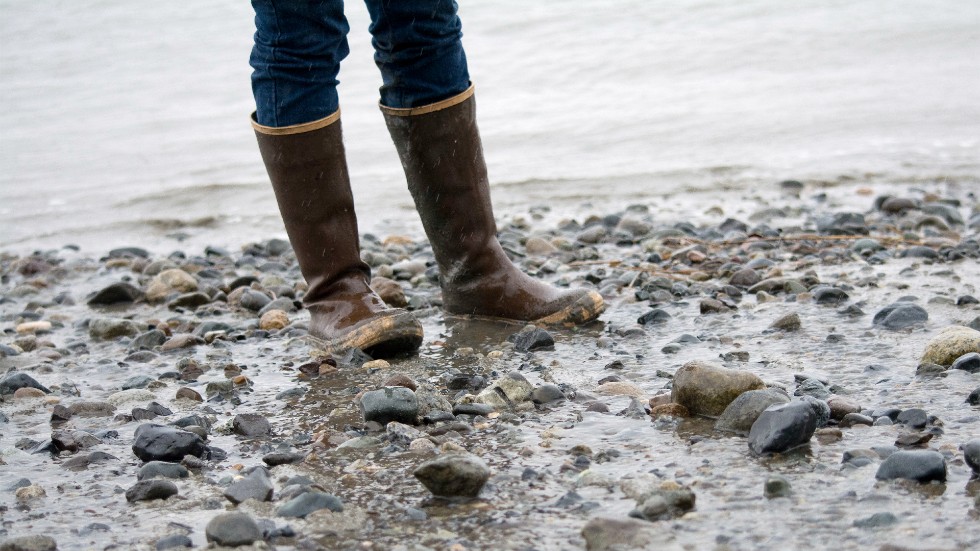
(297, 124)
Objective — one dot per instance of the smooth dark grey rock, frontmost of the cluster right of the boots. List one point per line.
(783, 427)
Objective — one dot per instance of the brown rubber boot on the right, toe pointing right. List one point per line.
(442, 155)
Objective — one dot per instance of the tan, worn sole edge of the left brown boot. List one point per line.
(379, 337)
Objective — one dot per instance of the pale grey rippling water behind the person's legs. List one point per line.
(127, 123)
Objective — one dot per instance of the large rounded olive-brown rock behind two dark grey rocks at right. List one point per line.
(707, 389)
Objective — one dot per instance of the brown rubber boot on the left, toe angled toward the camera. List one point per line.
(308, 170)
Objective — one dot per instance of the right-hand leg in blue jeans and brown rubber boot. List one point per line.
(430, 110)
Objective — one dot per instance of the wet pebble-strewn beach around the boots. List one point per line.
(792, 366)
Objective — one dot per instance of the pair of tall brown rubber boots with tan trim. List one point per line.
(440, 150)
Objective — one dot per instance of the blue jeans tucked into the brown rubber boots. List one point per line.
(299, 46)
